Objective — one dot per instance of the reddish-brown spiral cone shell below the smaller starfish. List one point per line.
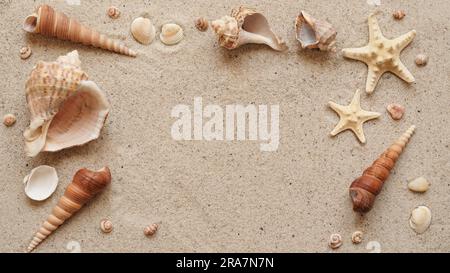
(365, 188)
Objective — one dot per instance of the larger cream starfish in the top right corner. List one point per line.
(382, 55)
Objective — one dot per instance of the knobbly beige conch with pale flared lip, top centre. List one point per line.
(246, 26)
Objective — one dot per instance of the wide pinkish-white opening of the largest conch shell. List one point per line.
(79, 120)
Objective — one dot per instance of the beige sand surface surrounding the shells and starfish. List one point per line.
(229, 196)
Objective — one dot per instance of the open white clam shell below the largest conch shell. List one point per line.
(41, 183)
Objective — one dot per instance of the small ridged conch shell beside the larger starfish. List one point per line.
(314, 33)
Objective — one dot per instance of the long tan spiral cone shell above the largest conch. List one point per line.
(49, 22)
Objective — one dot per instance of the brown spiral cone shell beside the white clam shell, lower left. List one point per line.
(84, 186)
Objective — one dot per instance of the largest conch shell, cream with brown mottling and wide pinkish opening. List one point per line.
(66, 109)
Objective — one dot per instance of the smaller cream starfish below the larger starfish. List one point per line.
(352, 117)
